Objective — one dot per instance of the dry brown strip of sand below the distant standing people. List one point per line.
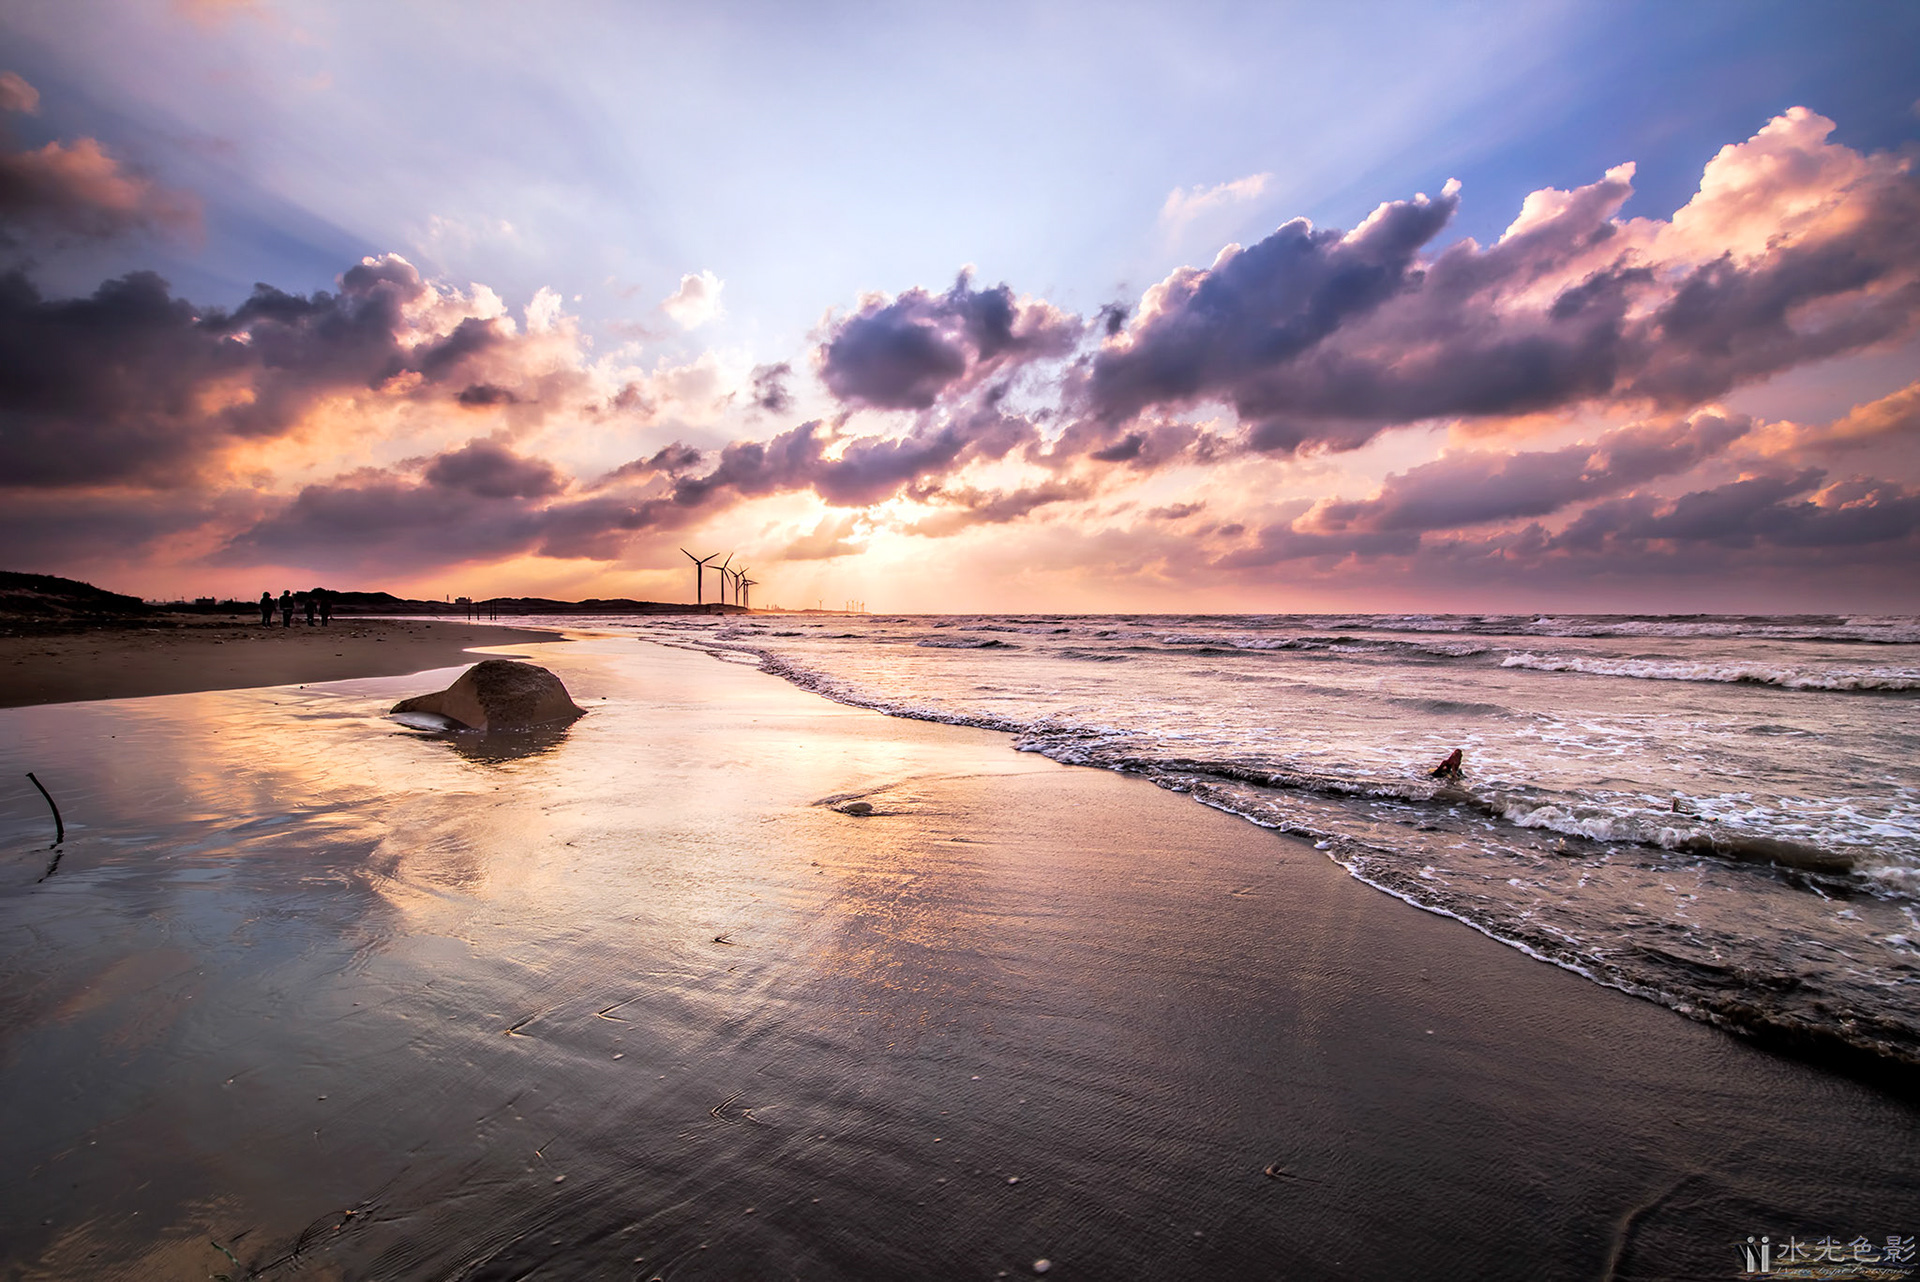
(206, 655)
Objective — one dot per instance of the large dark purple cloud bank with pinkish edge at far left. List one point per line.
(137, 387)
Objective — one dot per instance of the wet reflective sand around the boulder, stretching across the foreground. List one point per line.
(635, 1001)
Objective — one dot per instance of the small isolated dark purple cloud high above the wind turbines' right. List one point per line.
(917, 348)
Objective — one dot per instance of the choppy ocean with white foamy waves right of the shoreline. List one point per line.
(1714, 813)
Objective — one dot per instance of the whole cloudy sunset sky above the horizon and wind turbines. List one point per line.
(1028, 308)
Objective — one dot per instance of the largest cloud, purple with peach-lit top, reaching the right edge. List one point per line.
(1794, 250)
